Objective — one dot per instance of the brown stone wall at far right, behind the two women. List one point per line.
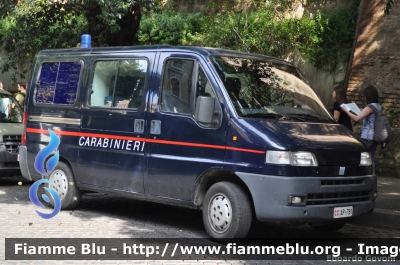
(376, 61)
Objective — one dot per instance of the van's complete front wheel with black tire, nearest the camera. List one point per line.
(227, 212)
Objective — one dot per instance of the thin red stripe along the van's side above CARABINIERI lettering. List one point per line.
(80, 134)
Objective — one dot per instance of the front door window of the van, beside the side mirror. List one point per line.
(177, 86)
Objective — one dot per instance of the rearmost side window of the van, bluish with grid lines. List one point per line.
(58, 83)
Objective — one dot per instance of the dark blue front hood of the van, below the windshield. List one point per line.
(332, 144)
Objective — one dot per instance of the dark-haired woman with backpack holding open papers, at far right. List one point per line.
(367, 116)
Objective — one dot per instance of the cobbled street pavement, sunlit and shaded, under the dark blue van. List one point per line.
(105, 216)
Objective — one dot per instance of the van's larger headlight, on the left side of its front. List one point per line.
(291, 158)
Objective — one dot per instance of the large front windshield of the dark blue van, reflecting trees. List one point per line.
(270, 90)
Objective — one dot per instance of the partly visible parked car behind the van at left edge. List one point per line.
(10, 134)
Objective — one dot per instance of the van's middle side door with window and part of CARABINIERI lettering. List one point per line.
(112, 153)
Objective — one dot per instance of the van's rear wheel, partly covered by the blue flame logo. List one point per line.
(63, 182)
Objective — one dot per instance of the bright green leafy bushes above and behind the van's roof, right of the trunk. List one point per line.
(322, 39)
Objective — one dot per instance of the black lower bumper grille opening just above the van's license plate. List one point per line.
(338, 197)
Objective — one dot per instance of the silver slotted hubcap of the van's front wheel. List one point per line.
(220, 213)
